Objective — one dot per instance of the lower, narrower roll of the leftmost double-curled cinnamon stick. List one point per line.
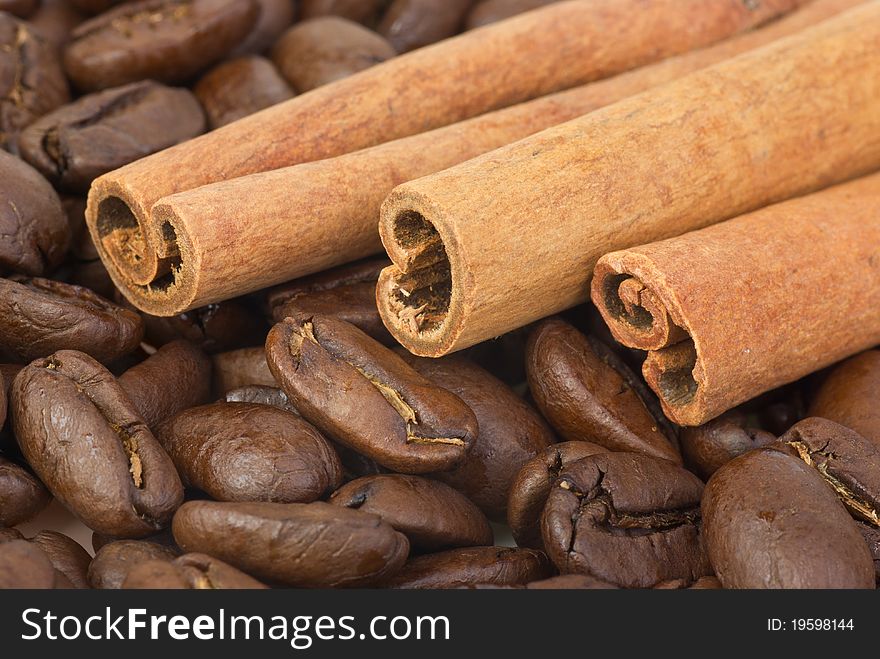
(262, 229)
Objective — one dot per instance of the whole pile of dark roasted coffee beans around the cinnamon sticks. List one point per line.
(283, 439)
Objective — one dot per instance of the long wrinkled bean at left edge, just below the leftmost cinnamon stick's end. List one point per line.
(40, 316)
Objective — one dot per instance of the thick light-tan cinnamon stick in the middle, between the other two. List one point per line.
(511, 236)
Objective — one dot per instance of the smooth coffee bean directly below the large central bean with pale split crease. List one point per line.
(432, 515)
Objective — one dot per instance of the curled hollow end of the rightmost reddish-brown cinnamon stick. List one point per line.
(641, 315)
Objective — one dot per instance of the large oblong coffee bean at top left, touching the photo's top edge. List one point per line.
(163, 40)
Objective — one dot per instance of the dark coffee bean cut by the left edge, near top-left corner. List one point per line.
(31, 80)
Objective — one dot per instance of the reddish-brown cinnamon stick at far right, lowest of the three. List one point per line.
(805, 272)
